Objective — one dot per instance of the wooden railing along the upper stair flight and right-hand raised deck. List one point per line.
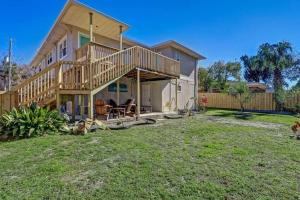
(122, 62)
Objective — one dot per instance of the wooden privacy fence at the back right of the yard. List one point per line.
(258, 102)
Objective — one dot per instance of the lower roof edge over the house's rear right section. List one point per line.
(176, 45)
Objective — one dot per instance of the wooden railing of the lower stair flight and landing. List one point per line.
(43, 86)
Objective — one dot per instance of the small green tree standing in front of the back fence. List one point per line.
(241, 92)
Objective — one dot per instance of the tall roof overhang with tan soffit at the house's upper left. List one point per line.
(76, 14)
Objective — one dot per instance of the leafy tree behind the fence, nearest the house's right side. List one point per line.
(221, 72)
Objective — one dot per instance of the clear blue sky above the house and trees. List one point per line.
(220, 30)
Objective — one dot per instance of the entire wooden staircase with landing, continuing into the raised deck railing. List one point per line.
(91, 75)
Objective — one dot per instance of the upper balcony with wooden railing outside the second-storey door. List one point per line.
(139, 56)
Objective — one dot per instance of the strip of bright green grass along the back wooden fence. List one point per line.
(252, 116)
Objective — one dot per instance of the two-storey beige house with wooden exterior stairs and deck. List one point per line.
(85, 58)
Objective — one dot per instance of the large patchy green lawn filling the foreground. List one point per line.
(192, 158)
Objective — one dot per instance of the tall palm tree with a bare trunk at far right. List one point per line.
(278, 59)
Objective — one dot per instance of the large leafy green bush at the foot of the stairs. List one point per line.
(30, 121)
